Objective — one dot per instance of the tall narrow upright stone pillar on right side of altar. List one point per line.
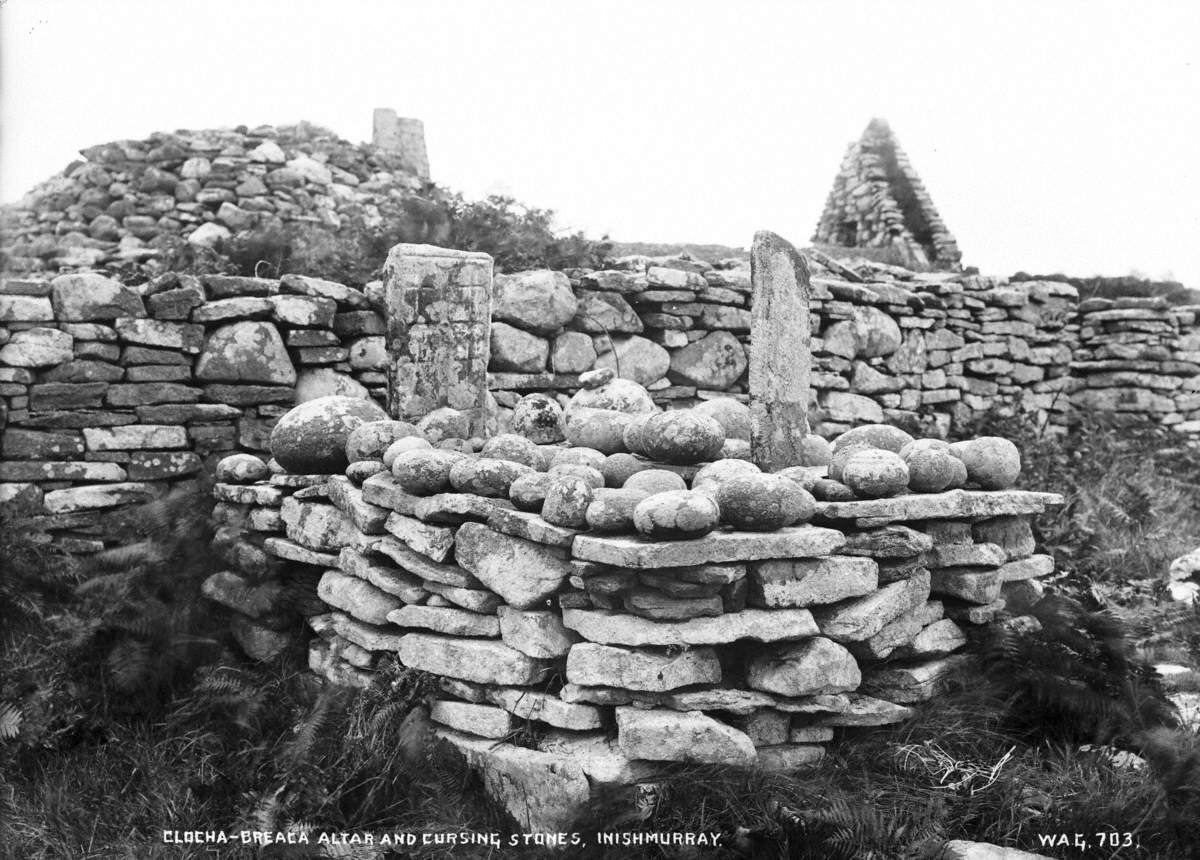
(781, 356)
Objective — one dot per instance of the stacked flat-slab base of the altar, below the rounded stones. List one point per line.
(611, 655)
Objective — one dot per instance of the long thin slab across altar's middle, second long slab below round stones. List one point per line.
(761, 626)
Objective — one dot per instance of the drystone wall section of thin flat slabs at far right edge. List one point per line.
(1139, 357)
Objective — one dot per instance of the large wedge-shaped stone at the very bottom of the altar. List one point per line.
(543, 792)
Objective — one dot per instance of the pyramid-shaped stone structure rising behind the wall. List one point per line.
(879, 202)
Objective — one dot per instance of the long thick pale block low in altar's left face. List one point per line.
(484, 661)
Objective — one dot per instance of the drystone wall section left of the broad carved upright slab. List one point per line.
(112, 394)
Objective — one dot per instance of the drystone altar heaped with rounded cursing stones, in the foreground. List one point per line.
(611, 587)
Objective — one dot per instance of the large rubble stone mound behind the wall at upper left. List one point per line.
(206, 187)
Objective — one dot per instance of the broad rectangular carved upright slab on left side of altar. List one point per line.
(440, 315)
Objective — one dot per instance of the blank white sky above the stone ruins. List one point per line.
(1053, 136)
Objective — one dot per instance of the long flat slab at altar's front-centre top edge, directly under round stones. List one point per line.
(797, 542)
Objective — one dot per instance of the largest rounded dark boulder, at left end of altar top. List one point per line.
(311, 438)
